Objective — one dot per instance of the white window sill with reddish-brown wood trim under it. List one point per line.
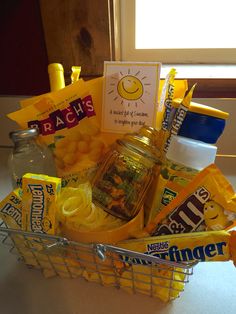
(213, 81)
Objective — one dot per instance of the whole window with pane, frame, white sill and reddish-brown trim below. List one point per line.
(212, 67)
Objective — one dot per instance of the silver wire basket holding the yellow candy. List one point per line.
(104, 264)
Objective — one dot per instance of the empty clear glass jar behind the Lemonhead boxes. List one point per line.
(29, 156)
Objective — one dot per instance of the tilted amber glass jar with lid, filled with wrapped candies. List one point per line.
(122, 180)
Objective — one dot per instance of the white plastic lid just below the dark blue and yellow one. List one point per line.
(191, 153)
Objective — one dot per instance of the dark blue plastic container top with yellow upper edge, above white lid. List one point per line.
(203, 123)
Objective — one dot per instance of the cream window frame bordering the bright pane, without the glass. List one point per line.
(187, 56)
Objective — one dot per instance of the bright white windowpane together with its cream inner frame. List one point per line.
(178, 31)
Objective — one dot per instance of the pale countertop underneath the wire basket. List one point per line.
(211, 289)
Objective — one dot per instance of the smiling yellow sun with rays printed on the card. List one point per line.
(129, 87)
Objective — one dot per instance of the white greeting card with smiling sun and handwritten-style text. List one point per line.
(130, 95)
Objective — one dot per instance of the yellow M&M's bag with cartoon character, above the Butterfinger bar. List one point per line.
(208, 202)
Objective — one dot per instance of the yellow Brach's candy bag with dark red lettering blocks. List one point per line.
(69, 122)
